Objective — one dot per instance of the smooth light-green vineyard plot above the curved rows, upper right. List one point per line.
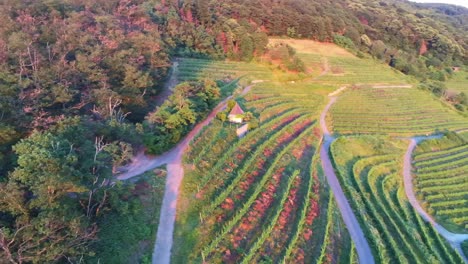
(395, 111)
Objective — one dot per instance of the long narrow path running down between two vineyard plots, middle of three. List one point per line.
(355, 231)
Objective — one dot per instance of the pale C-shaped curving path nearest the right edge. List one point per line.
(455, 240)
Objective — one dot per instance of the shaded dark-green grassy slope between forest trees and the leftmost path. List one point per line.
(128, 236)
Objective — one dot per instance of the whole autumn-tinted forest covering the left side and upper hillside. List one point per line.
(79, 78)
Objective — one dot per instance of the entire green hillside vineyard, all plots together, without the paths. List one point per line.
(263, 198)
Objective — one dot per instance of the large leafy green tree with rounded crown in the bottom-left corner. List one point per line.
(46, 223)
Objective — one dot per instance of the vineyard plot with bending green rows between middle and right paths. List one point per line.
(370, 168)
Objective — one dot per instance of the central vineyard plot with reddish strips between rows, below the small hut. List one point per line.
(261, 197)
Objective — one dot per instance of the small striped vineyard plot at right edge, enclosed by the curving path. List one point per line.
(441, 172)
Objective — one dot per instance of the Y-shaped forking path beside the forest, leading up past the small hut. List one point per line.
(175, 173)
